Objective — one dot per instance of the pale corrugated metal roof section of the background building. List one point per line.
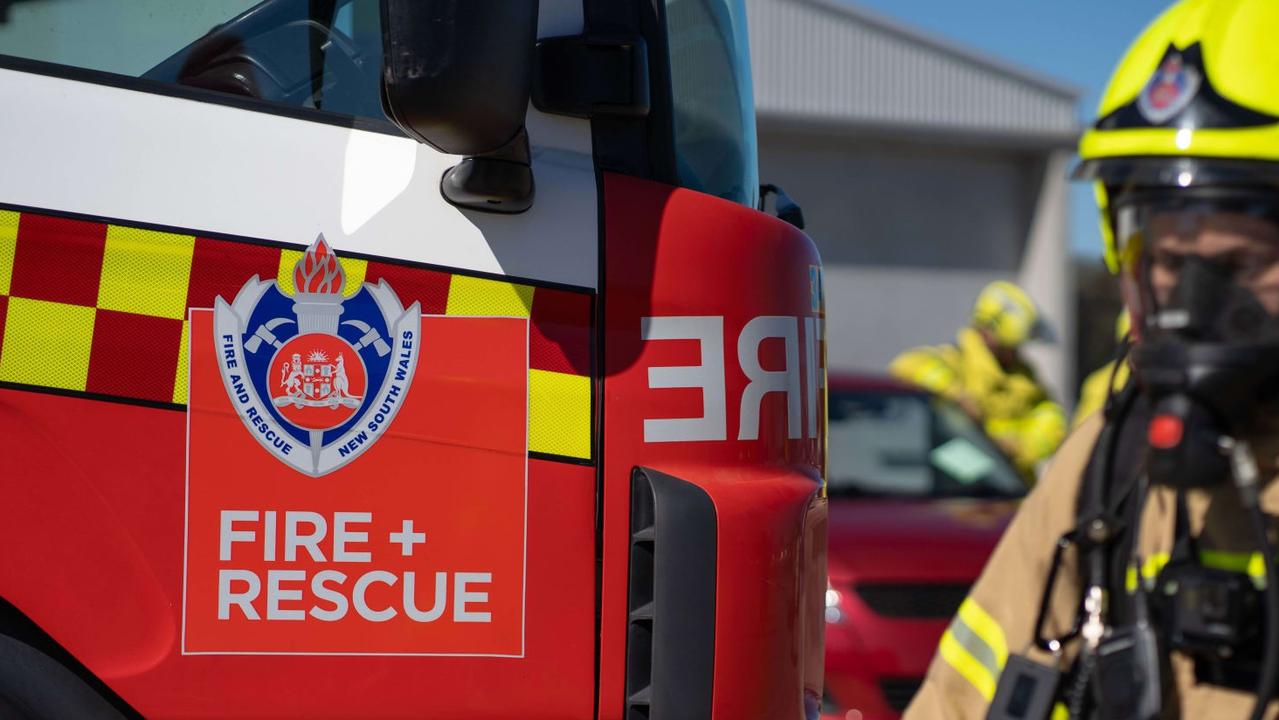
(829, 63)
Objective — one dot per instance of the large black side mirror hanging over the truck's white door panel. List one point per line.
(456, 76)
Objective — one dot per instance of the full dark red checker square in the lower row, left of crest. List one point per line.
(135, 356)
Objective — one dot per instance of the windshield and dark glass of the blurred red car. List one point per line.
(900, 443)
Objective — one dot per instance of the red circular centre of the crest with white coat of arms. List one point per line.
(318, 382)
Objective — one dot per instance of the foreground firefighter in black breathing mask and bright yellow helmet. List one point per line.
(1135, 581)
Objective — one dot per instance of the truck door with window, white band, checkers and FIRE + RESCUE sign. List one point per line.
(283, 430)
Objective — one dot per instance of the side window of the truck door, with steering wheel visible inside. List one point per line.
(314, 54)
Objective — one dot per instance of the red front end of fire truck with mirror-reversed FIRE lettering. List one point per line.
(714, 395)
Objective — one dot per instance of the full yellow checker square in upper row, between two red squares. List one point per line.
(146, 273)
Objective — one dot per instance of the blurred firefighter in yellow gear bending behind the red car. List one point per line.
(985, 374)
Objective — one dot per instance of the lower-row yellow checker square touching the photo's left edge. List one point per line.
(47, 345)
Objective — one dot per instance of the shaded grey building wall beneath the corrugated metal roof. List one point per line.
(910, 230)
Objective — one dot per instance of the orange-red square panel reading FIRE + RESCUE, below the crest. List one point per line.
(475, 368)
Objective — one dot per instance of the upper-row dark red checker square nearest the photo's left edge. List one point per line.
(58, 260)
